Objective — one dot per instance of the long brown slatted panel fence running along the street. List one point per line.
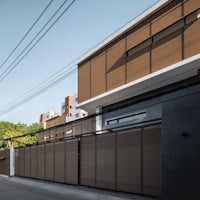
(128, 161)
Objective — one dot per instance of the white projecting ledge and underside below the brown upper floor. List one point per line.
(182, 70)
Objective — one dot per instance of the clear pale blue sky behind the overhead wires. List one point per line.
(83, 26)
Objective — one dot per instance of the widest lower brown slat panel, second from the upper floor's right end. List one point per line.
(162, 57)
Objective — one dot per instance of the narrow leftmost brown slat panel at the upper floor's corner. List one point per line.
(84, 82)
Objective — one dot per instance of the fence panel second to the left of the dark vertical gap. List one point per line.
(60, 161)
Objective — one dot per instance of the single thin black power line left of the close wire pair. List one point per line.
(26, 34)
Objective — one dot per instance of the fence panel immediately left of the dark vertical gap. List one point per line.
(71, 161)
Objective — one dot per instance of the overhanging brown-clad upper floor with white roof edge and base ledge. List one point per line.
(156, 49)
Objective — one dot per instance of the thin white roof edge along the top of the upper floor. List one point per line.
(125, 28)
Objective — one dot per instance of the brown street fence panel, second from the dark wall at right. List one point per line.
(128, 161)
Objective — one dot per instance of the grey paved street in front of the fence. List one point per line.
(23, 189)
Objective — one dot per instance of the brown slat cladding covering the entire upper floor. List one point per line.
(164, 55)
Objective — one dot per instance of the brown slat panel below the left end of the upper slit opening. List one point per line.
(138, 67)
